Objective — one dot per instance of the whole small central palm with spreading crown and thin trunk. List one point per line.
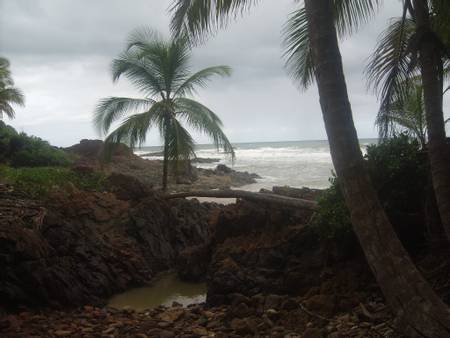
(160, 70)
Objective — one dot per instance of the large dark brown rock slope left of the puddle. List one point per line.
(81, 247)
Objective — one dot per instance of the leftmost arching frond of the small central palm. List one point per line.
(113, 108)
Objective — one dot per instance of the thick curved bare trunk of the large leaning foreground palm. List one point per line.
(420, 311)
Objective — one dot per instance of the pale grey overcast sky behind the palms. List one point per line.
(61, 50)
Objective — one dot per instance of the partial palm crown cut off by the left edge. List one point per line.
(8, 93)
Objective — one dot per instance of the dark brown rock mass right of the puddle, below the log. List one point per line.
(258, 250)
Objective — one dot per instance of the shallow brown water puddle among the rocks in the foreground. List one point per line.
(163, 291)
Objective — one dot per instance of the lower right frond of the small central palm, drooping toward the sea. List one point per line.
(206, 121)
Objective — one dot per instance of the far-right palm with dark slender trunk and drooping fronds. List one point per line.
(415, 45)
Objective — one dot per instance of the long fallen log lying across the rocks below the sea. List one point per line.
(251, 196)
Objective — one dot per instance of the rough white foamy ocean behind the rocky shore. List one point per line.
(294, 163)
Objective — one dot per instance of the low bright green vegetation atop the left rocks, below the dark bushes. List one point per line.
(39, 181)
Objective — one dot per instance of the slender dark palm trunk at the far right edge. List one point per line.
(439, 154)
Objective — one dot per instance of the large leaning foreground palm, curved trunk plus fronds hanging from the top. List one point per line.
(420, 310)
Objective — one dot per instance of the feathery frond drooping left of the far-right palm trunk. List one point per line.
(388, 69)
